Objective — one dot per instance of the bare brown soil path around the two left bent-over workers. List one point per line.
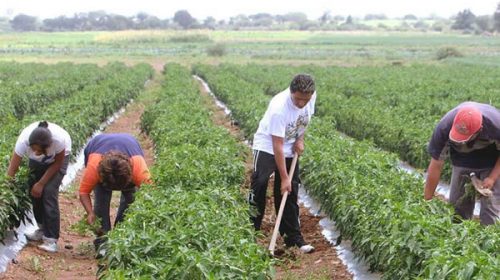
(76, 257)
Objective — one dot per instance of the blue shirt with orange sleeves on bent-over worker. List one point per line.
(120, 142)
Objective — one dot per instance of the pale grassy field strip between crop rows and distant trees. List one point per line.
(282, 47)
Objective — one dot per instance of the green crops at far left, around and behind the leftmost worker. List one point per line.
(90, 94)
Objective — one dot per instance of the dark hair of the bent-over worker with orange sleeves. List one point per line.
(115, 170)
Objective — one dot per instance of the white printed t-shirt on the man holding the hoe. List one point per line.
(283, 119)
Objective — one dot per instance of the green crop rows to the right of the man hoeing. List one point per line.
(360, 186)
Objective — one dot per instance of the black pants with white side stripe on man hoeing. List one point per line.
(264, 166)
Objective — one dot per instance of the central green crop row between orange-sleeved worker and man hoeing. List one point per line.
(193, 223)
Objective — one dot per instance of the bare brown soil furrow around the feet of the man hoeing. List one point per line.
(323, 263)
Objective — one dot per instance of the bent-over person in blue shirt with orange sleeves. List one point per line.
(113, 162)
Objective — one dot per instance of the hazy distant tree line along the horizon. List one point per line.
(464, 21)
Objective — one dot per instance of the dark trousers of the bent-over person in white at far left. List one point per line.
(46, 208)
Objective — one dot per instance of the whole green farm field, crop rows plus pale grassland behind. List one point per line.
(379, 98)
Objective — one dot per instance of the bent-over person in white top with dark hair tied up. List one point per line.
(47, 147)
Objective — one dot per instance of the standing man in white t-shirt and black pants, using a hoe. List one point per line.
(279, 136)
